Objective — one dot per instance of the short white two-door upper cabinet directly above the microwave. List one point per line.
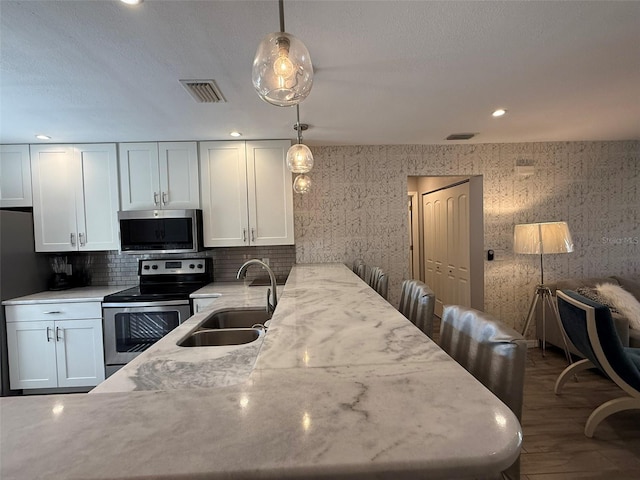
(159, 175)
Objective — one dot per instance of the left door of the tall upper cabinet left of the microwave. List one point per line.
(54, 209)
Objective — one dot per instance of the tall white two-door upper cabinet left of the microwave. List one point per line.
(75, 197)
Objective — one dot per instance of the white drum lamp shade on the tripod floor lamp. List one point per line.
(542, 238)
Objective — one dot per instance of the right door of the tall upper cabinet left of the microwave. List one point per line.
(97, 197)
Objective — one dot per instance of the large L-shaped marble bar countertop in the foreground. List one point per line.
(343, 386)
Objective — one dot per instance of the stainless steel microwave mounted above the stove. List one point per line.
(160, 231)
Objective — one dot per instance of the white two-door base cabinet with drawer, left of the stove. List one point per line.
(53, 345)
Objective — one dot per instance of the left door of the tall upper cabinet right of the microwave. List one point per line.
(223, 185)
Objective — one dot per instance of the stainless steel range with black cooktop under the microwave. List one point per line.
(136, 318)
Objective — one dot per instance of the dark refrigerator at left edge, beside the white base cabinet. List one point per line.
(22, 271)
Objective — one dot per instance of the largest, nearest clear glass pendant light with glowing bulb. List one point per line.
(282, 73)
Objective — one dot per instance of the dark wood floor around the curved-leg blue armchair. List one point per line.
(555, 446)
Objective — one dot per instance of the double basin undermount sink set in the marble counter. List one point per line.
(228, 327)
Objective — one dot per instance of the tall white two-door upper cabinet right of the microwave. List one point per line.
(247, 196)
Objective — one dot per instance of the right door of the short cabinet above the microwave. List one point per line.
(179, 186)
